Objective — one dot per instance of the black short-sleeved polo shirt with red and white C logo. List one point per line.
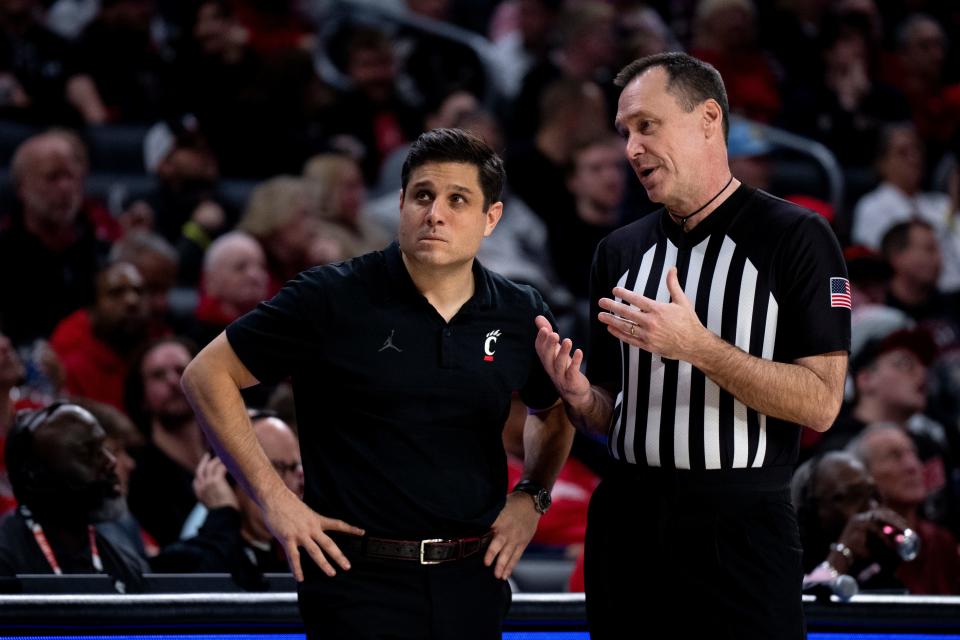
(400, 413)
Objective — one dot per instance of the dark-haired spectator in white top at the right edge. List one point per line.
(899, 198)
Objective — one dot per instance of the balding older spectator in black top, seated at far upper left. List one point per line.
(49, 254)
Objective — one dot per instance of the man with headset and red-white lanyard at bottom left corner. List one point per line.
(62, 475)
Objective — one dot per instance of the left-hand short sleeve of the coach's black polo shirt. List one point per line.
(280, 336)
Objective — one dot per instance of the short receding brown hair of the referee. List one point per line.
(691, 81)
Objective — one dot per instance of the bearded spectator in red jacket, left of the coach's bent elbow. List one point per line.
(95, 345)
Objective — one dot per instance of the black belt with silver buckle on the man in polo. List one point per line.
(432, 551)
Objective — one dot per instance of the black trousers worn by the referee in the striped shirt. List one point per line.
(675, 554)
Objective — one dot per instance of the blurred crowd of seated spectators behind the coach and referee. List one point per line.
(171, 164)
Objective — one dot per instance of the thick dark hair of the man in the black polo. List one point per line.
(457, 145)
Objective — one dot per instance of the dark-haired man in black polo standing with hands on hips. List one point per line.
(403, 364)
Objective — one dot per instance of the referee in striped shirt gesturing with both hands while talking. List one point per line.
(721, 323)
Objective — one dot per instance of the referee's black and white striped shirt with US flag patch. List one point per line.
(758, 271)
